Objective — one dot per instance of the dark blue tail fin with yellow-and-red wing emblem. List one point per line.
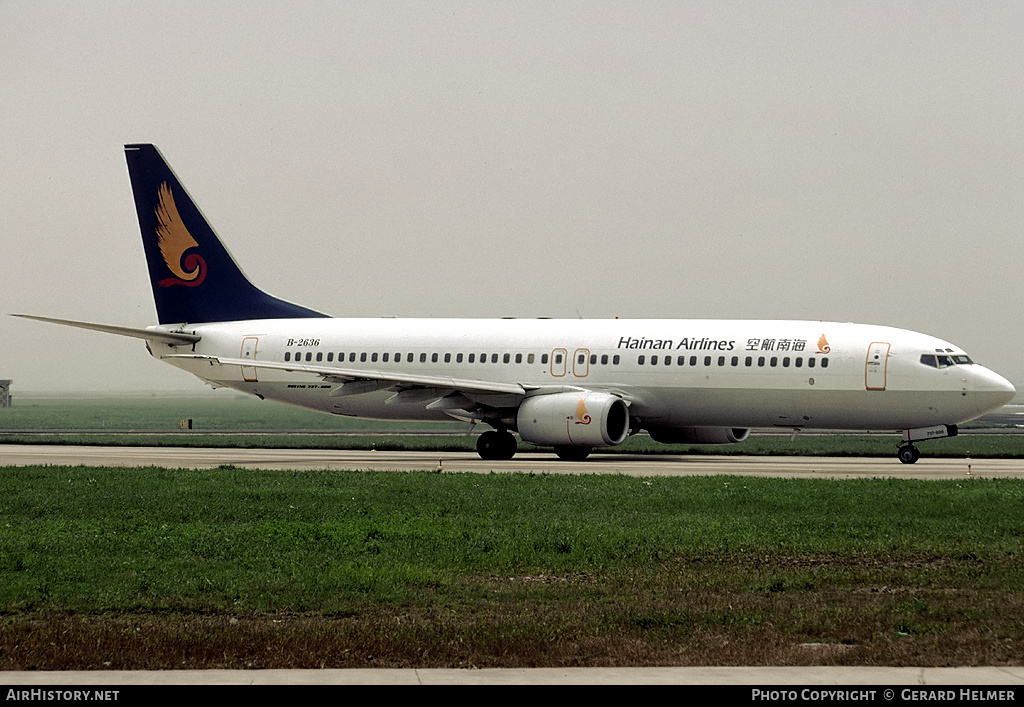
(194, 277)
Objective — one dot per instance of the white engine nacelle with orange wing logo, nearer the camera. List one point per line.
(574, 420)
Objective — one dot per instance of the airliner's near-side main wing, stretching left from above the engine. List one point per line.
(356, 381)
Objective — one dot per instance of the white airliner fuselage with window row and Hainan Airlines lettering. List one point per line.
(674, 373)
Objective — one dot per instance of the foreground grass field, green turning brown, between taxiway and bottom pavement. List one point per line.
(159, 569)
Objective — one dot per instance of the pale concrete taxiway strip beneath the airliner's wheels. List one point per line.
(636, 466)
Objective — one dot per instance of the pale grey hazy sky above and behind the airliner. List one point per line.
(851, 161)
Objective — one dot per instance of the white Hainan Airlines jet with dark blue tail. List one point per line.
(571, 385)
